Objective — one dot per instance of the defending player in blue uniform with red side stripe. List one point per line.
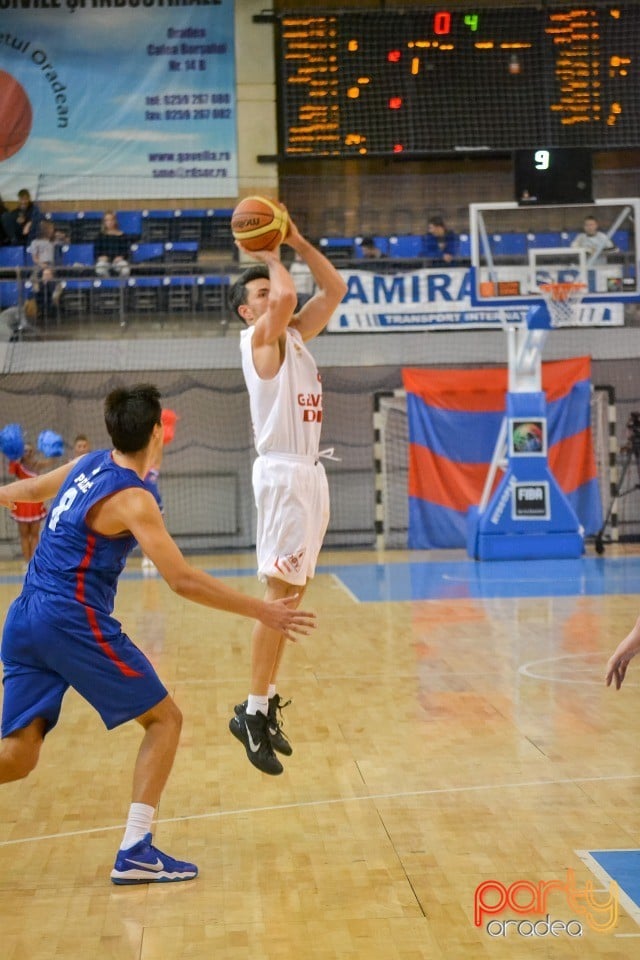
(60, 631)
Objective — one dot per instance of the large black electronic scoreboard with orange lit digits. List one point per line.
(382, 83)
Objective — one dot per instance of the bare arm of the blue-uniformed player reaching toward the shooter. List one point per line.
(138, 512)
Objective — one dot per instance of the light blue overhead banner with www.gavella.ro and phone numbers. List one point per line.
(142, 90)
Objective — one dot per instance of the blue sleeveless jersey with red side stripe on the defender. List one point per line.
(73, 562)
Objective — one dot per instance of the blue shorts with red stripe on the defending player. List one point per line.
(49, 645)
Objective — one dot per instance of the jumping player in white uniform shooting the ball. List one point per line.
(289, 481)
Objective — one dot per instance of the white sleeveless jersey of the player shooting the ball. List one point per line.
(286, 411)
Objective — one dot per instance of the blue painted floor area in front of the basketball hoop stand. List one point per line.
(435, 580)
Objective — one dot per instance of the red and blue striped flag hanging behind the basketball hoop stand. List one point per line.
(454, 422)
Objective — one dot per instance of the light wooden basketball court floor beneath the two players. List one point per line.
(438, 744)
